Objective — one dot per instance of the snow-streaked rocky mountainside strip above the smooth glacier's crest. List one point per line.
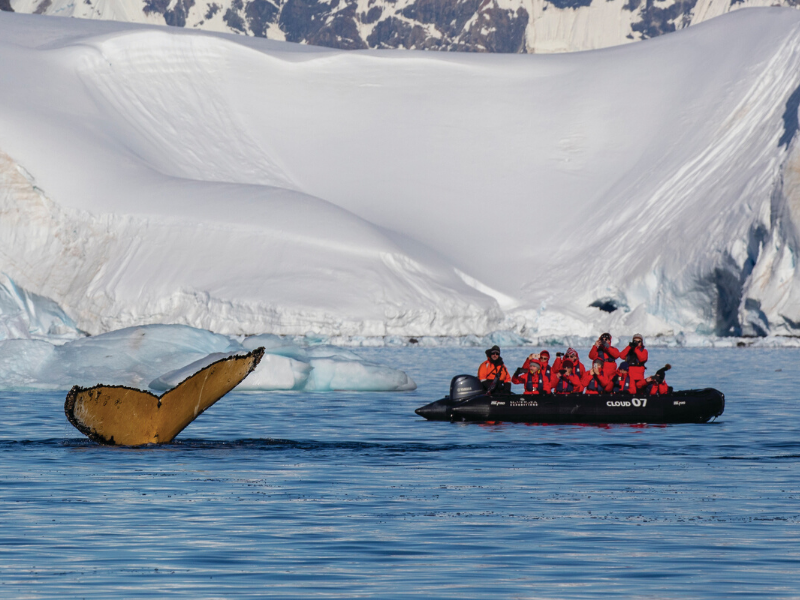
(460, 25)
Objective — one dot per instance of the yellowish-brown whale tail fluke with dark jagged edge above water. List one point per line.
(124, 416)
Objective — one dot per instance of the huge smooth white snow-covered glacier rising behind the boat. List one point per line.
(248, 186)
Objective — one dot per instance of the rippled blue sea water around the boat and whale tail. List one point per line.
(346, 495)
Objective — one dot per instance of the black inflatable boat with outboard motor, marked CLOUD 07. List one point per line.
(468, 401)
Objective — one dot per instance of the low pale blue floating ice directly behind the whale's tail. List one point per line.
(159, 357)
